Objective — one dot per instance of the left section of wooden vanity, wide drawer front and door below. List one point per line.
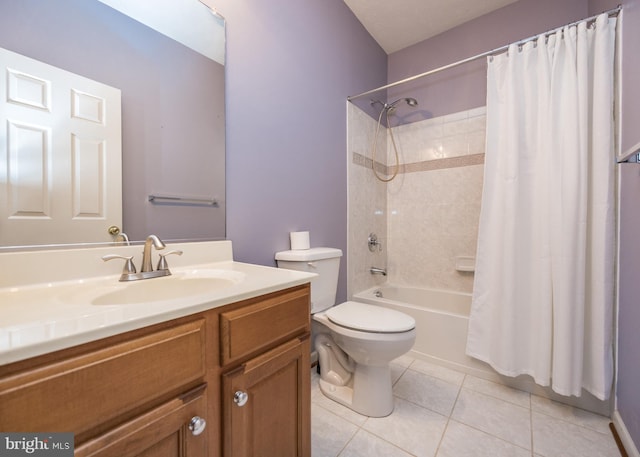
(121, 396)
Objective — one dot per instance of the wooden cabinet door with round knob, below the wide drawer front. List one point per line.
(161, 432)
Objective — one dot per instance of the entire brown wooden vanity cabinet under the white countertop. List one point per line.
(148, 392)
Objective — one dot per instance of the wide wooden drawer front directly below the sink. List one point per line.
(82, 393)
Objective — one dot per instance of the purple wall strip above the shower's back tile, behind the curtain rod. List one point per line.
(464, 87)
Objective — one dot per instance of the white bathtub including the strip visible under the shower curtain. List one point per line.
(442, 318)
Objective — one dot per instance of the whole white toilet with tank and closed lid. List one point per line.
(355, 341)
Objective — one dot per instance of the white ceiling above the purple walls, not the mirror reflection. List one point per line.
(397, 24)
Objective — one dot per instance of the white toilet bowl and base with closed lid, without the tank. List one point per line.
(355, 344)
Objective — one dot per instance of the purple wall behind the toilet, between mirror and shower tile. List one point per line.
(290, 67)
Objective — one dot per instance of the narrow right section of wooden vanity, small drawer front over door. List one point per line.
(266, 377)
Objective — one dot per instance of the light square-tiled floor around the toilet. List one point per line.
(444, 413)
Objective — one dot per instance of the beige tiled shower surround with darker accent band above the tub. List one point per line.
(427, 217)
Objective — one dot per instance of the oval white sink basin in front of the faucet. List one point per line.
(183, 284)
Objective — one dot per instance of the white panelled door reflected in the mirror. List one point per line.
(60, 155)
